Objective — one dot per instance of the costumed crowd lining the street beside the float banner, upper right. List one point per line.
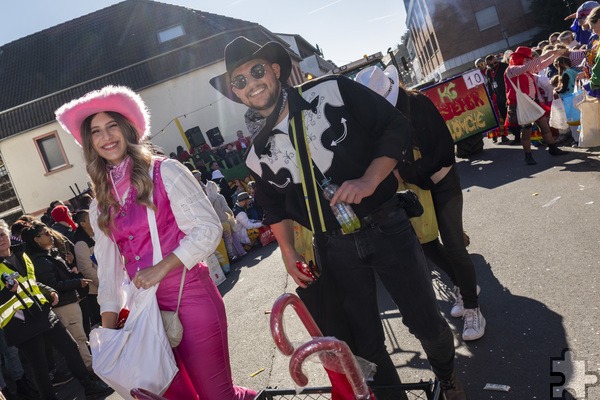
(557, 68)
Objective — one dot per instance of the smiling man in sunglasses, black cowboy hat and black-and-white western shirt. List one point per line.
(355, 139)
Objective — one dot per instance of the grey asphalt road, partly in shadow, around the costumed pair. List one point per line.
(535, 243)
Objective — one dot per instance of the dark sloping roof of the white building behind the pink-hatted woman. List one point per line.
(115, 45)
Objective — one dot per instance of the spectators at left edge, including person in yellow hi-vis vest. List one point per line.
(55, 321)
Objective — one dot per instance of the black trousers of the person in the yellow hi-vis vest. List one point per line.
(34, 350)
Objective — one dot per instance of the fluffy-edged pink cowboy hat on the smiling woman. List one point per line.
(119, 99)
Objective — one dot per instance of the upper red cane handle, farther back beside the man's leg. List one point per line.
(277, 331)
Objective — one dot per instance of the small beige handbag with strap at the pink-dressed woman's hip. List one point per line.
(171, 321)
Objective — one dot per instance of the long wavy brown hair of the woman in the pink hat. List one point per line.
(96, 168)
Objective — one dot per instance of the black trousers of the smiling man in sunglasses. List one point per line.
(391, 250)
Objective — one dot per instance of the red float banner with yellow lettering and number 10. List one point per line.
(464, 104)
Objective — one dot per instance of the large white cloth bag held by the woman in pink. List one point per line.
(138, 355)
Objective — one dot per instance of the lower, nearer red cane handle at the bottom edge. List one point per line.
(344, 356)
